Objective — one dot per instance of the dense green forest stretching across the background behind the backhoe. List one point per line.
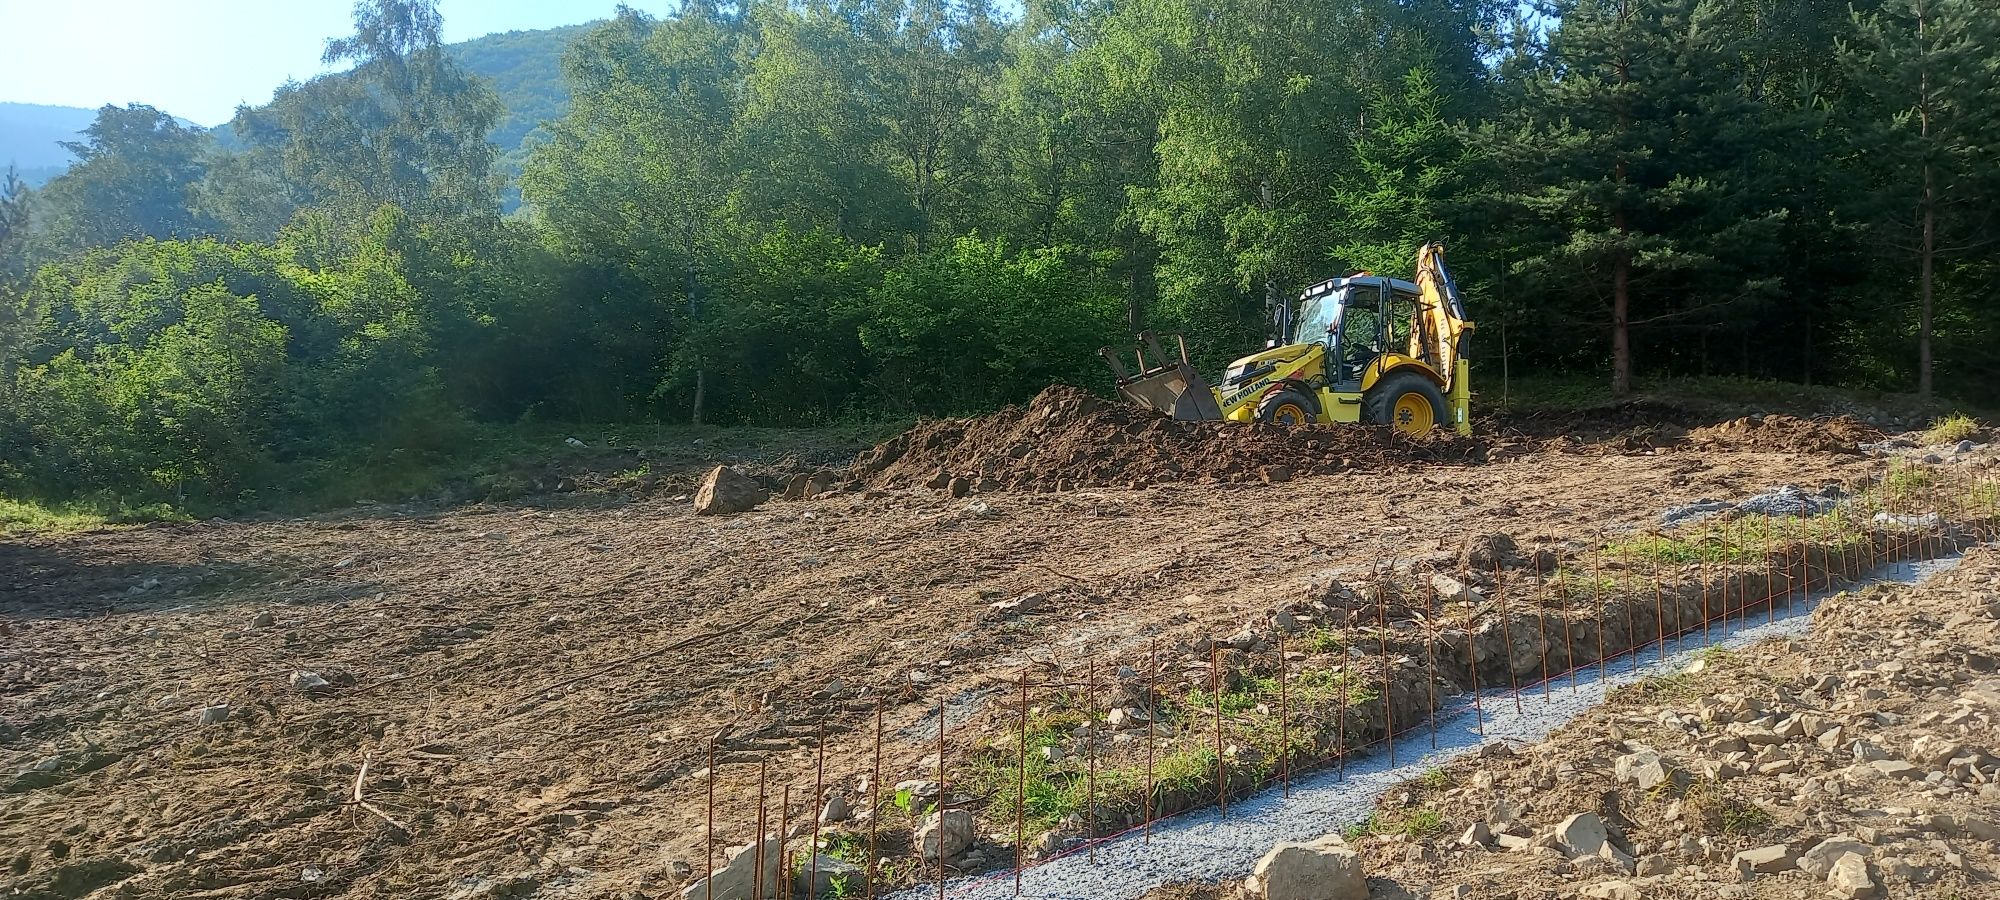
(827, 211)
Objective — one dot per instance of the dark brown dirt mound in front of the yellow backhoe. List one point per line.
(1067, 439)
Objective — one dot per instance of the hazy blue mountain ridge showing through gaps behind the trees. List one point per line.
(523, 67)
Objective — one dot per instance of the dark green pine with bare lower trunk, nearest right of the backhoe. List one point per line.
(1623, 169)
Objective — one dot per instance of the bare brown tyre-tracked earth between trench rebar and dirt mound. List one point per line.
(521, 697)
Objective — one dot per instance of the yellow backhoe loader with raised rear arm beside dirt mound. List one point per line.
(1361, 349)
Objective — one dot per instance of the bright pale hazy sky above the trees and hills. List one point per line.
(199, 59)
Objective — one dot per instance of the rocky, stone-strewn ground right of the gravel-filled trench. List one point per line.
(1875, 735)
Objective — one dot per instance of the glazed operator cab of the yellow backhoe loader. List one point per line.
(1357, 321)
